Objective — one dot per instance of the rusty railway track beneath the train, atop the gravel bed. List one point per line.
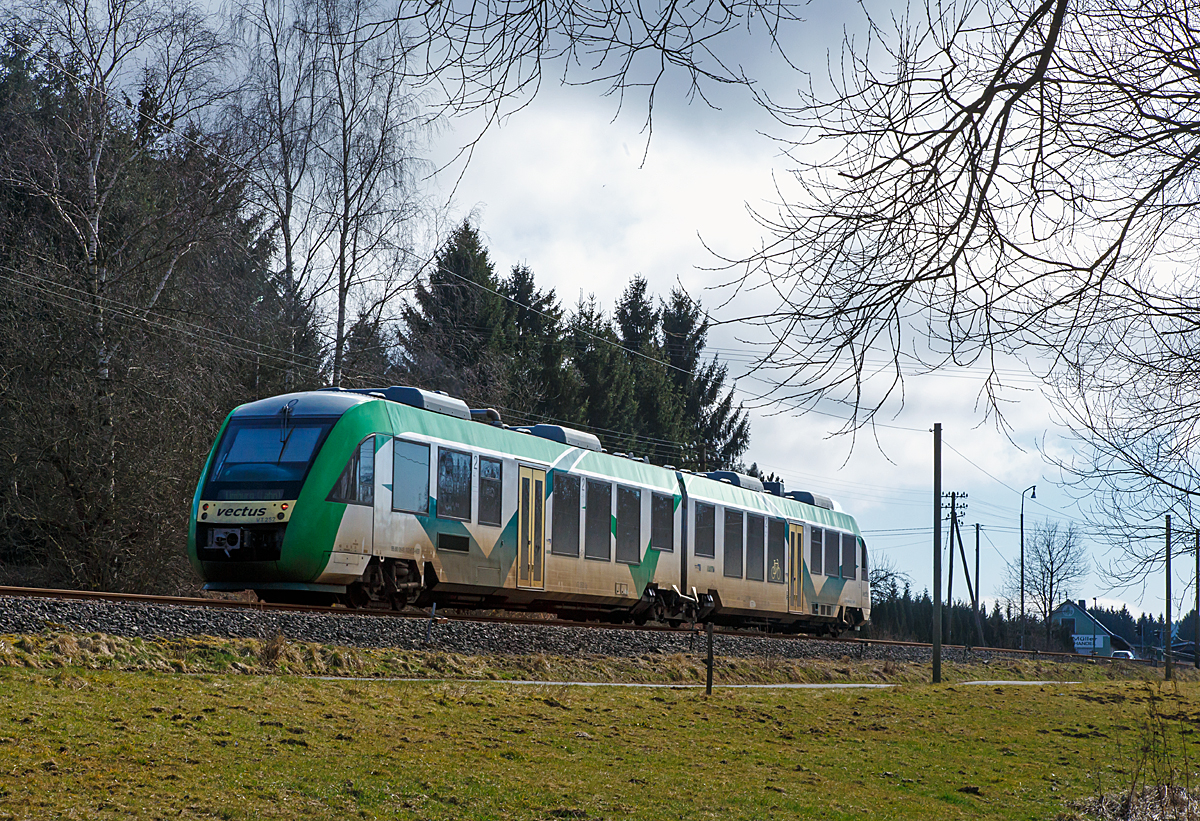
(511, 620)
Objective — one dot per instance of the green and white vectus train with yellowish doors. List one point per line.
(400, 496)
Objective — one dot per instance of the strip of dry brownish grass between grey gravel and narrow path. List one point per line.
(280, 655)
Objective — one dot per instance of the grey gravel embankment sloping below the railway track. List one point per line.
(152, 621)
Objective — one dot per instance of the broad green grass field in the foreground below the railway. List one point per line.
(91, 740)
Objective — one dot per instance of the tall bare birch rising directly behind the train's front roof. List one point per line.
(335, 129)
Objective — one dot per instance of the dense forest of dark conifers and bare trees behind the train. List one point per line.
(169, 251)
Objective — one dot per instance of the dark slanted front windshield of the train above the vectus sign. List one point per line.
(266, 459)
